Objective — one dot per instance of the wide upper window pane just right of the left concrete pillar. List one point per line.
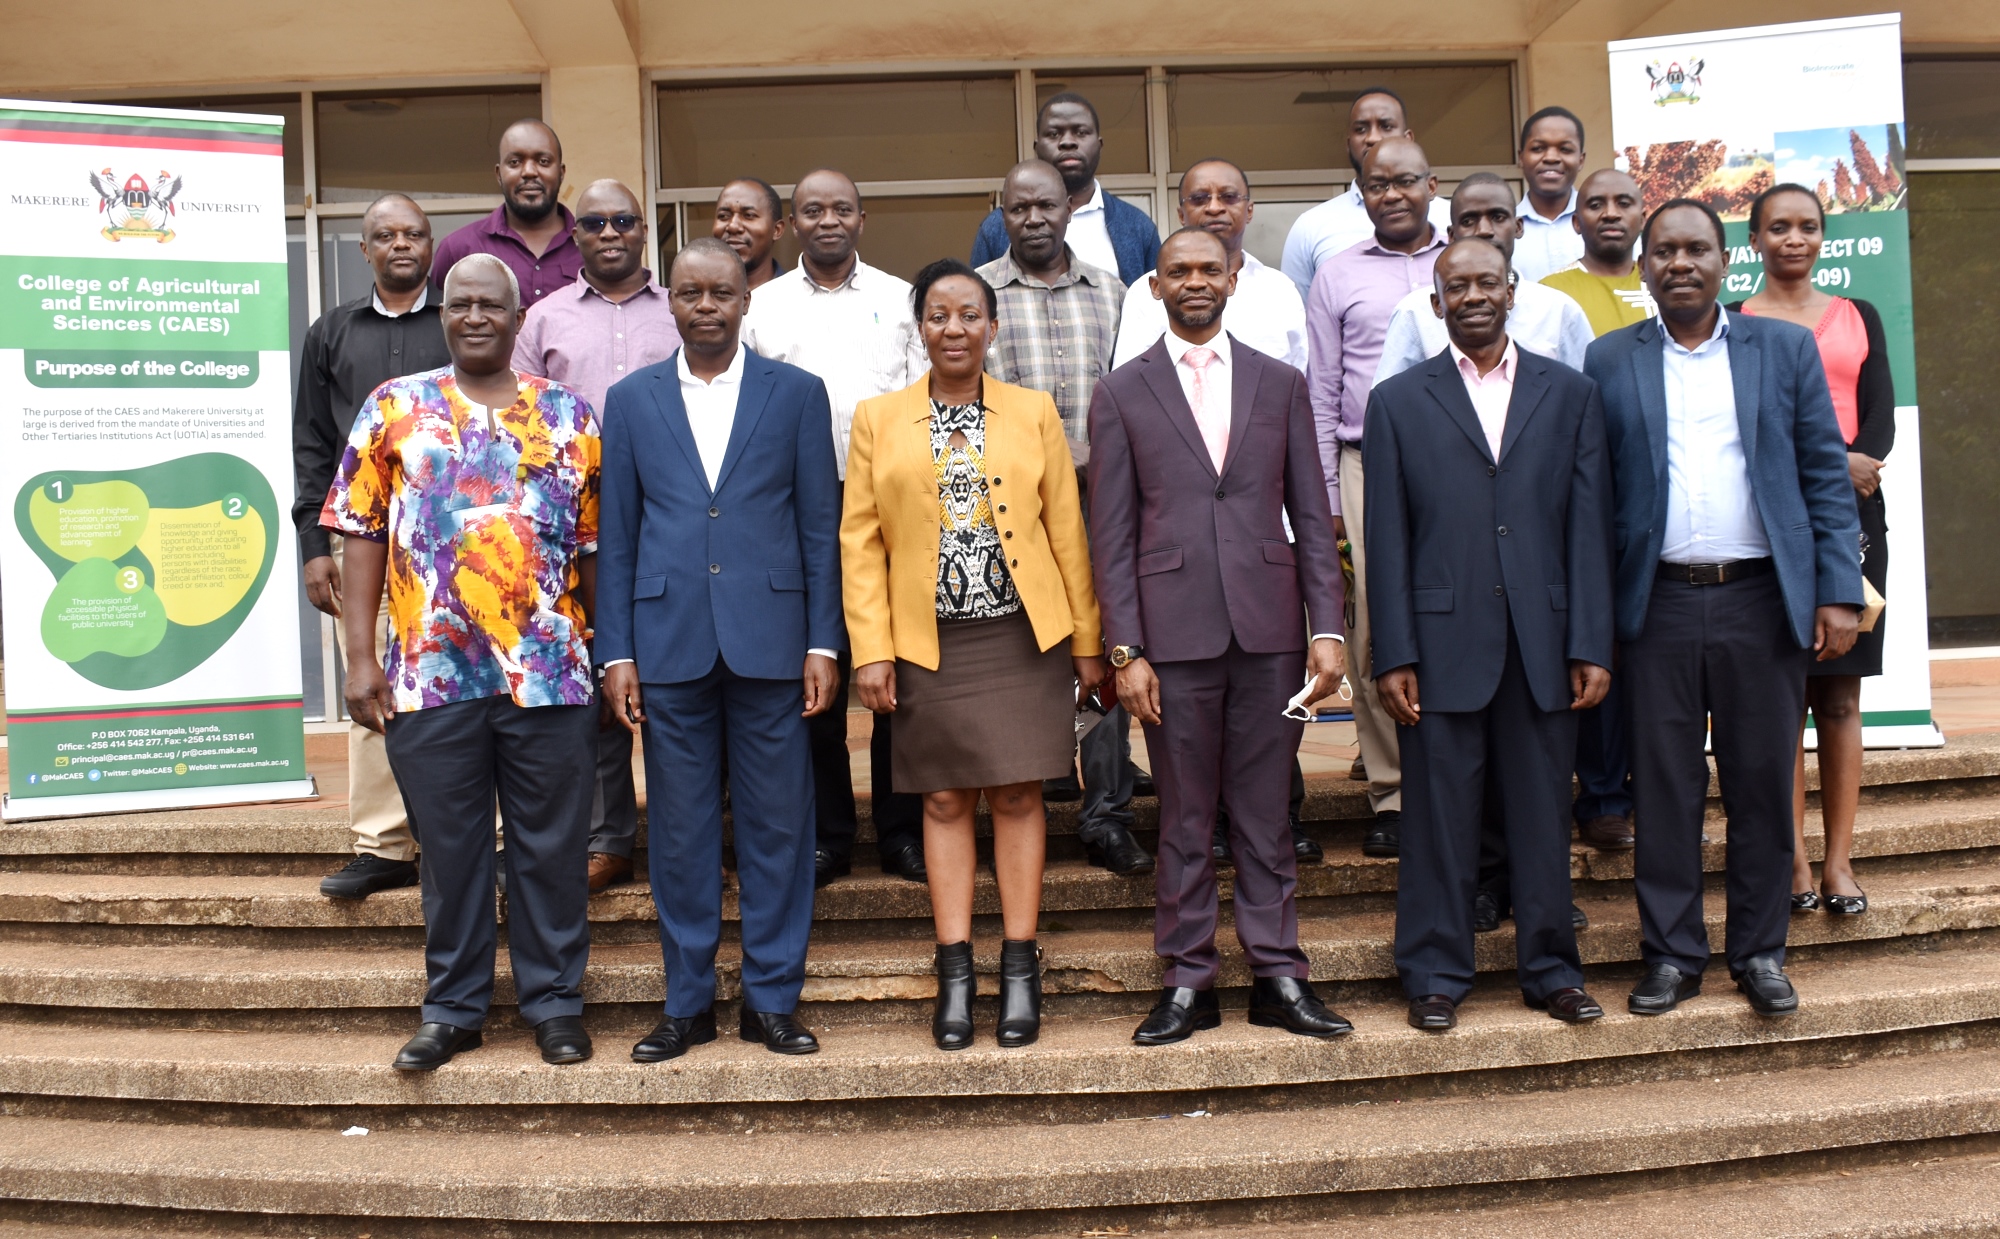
(871, 131)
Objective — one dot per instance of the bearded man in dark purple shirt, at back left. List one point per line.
(531, 229)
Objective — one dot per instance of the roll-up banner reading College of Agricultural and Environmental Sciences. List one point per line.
(149, 561)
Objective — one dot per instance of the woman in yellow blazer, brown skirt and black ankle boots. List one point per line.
(967, 587)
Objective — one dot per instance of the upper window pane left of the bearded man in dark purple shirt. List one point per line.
(421, 145)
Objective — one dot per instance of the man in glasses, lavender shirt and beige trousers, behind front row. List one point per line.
(1347, 319)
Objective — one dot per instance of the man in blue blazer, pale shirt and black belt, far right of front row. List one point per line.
(1737, 563)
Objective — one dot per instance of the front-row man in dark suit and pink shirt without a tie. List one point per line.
(1491, 581)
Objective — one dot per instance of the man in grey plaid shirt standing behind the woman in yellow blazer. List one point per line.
(1059, 323)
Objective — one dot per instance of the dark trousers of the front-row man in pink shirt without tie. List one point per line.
(1453, 764)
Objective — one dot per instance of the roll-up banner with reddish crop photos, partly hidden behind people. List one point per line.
(1731, 113)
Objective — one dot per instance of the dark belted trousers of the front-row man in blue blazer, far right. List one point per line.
(1719, 664)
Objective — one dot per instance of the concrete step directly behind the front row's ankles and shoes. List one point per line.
(1095, 952)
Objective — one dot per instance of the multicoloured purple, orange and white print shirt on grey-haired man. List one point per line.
(485, 515)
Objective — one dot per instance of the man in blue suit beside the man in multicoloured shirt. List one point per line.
(721, 595)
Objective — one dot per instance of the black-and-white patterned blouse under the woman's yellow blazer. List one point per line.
(973, 581)
